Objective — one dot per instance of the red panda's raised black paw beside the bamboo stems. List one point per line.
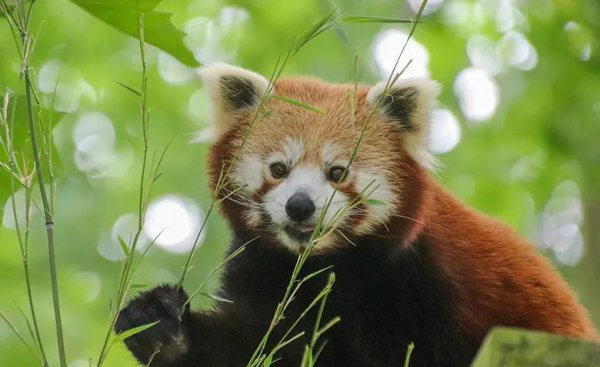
(168, 340)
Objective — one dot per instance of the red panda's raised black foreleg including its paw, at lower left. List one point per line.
(181, 337)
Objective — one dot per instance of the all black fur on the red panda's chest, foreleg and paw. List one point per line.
(386, 297)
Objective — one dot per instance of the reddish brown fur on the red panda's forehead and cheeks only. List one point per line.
(381, 147)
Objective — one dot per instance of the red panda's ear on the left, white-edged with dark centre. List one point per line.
(231, 89)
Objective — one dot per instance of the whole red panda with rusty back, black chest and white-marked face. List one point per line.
(412, 263)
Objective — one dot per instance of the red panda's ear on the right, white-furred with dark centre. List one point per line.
(408, 102)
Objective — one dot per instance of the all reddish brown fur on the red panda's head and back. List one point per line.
(497, 277)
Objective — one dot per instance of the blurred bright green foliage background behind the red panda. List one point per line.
(534, 163)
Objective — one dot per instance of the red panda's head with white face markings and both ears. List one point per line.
(285, 160)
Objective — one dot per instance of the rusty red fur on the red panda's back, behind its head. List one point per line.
(497, 277)
